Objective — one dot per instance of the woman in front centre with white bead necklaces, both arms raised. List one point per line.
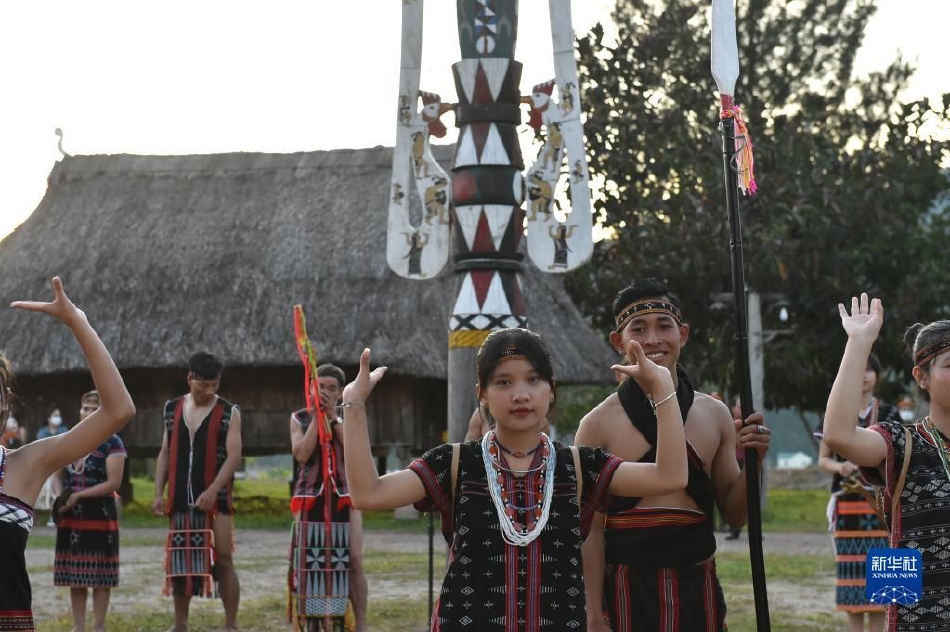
(513, 507)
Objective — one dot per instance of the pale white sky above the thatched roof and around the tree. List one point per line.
(208, 76)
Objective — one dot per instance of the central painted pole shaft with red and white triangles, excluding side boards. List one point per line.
(487, 194)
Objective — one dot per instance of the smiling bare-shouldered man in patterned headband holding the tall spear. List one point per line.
(661, 573)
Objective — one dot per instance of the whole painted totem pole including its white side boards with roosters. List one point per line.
(483, 198)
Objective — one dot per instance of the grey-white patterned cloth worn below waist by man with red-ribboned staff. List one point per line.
(319, 572)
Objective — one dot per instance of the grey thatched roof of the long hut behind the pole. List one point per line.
(172, 254)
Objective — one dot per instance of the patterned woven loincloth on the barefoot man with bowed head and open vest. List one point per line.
(189, 555)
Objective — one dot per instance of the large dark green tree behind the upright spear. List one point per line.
(847, 182)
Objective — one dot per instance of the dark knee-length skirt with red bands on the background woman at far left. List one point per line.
(87, 545)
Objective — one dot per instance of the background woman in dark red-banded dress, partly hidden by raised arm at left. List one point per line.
(87, 534)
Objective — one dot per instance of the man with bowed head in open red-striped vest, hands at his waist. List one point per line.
(201, 449)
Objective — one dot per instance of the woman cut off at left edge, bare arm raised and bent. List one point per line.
(24, 471)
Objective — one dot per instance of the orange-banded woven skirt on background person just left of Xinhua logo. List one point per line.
(856, 531)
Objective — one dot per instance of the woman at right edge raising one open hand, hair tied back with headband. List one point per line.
(879, 450)
